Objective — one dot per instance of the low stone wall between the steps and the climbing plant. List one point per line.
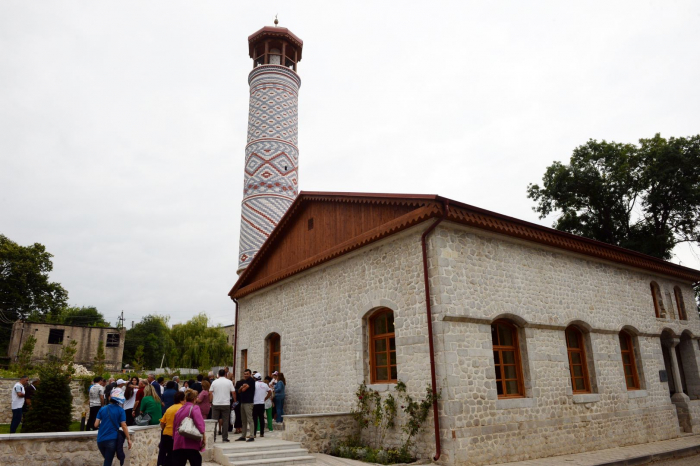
(317, 431)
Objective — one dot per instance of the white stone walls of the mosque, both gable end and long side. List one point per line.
(476, 277)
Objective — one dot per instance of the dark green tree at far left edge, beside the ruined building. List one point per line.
(24, 284)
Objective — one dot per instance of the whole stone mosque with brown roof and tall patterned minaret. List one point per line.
(539, 342)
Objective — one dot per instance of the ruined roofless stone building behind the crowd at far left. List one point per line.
(50, 339)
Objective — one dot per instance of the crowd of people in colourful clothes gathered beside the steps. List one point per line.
(180, 409)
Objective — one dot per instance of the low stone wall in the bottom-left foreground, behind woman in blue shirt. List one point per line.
(76, 448)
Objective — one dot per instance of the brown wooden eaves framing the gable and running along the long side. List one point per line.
(432, 206)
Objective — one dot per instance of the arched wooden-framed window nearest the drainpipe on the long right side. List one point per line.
(506, 356)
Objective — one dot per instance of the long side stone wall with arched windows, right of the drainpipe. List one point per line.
(479, 277)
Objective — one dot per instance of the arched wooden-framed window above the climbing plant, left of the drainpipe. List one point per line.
(382, 347)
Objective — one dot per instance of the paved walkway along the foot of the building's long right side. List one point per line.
(652, 451)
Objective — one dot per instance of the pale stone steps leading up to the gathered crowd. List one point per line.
(262, 451)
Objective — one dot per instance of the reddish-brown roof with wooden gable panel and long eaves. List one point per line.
(321, 226)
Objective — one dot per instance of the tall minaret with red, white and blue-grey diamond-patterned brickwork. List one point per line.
(271, 154)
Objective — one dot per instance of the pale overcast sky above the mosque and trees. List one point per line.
(123, 124)
